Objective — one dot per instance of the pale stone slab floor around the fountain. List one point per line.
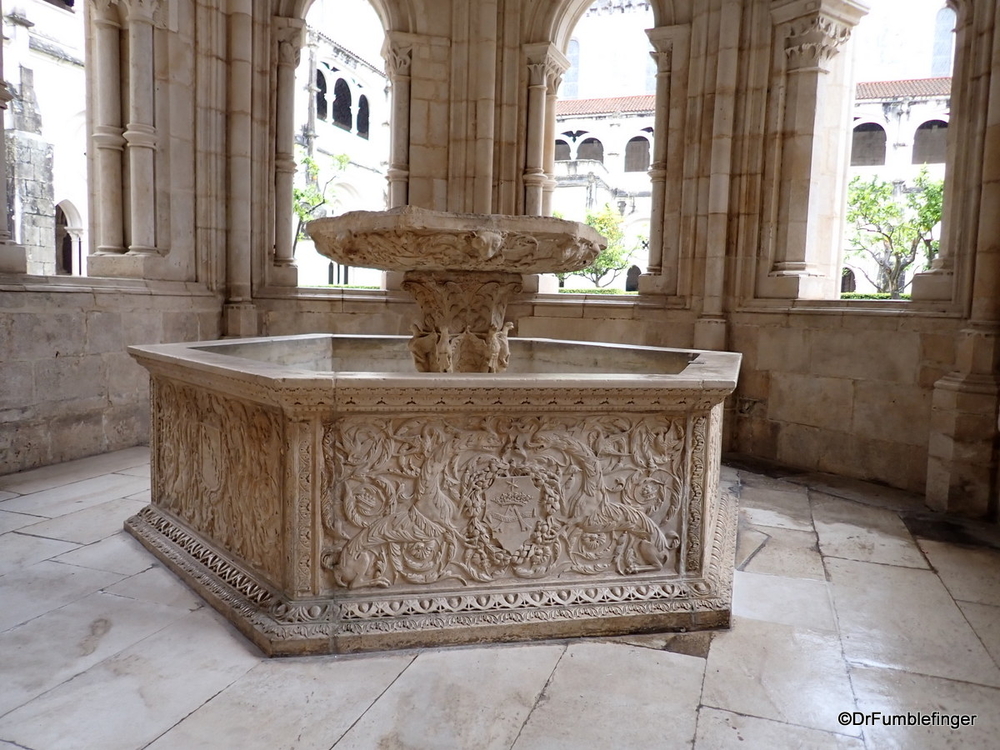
(838, 608)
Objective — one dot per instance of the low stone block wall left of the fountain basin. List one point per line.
(69, 389)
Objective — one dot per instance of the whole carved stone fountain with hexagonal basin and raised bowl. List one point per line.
(327, 497)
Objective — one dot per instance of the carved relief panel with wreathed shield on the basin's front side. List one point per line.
(478, 499)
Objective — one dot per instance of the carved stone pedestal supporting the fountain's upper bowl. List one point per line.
(462, 328)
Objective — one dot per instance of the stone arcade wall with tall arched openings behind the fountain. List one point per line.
(191, 167)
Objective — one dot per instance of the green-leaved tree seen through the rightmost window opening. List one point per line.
(891, 230)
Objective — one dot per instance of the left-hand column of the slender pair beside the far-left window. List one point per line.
(107, 137)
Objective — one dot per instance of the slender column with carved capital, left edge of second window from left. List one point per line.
(288, 40)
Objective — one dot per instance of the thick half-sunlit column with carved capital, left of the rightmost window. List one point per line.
(813, 140)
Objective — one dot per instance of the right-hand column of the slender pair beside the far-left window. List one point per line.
(140, 134)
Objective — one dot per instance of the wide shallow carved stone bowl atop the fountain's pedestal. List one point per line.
(410, 238)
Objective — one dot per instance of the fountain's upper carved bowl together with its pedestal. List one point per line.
(462, 270)
